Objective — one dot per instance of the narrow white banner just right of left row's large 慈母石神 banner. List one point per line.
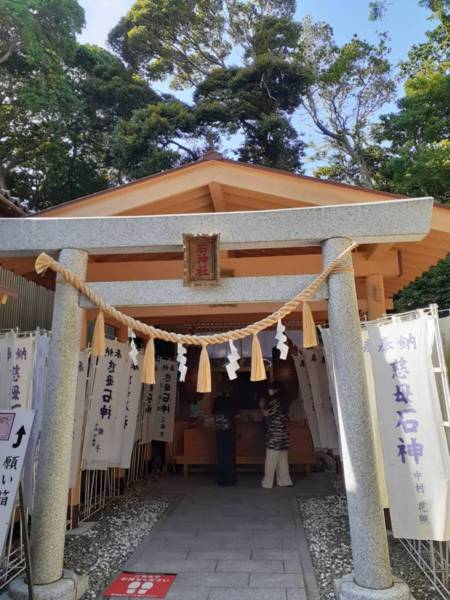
(131, 412)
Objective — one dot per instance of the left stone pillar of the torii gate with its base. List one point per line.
(53, 473)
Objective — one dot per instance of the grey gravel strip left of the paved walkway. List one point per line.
(103, 550)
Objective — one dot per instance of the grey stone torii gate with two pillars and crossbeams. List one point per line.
(72, 239)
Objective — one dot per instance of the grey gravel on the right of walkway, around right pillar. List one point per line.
(326, 525)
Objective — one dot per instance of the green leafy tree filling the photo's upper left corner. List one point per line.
(37, 37)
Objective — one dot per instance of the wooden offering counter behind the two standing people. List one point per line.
(195, 444)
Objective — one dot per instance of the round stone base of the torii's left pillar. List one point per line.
(70, 587)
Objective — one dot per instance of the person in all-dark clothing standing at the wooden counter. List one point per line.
(225, 411)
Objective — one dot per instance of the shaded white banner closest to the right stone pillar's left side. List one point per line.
(315, 365)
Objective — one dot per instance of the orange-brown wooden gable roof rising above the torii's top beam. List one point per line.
(214, 184)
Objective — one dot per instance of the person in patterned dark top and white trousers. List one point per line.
(275, 412)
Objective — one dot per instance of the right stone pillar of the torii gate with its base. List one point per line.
(371, 578)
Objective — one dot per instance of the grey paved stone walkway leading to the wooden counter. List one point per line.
(237, 543)
